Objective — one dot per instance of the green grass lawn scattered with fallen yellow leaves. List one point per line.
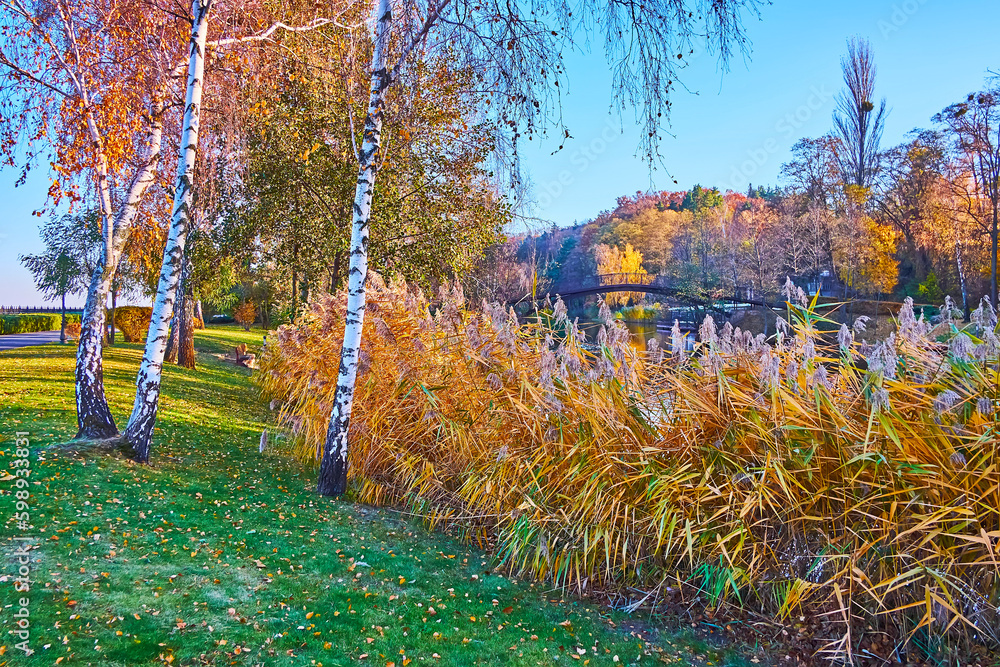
(217, 554)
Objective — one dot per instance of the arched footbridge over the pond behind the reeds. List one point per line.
(647, 283)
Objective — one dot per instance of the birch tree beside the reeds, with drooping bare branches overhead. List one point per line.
(516, 50)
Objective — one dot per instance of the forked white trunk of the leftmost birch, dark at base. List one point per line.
(94, 419)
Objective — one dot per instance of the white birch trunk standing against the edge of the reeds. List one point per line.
(333, 468)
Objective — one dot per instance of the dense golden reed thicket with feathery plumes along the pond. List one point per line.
(798, 475)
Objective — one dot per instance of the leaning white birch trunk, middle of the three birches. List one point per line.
(139, 431)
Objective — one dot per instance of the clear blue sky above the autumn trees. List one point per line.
(729, 129)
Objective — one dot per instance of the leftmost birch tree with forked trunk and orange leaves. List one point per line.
(84, 82)
